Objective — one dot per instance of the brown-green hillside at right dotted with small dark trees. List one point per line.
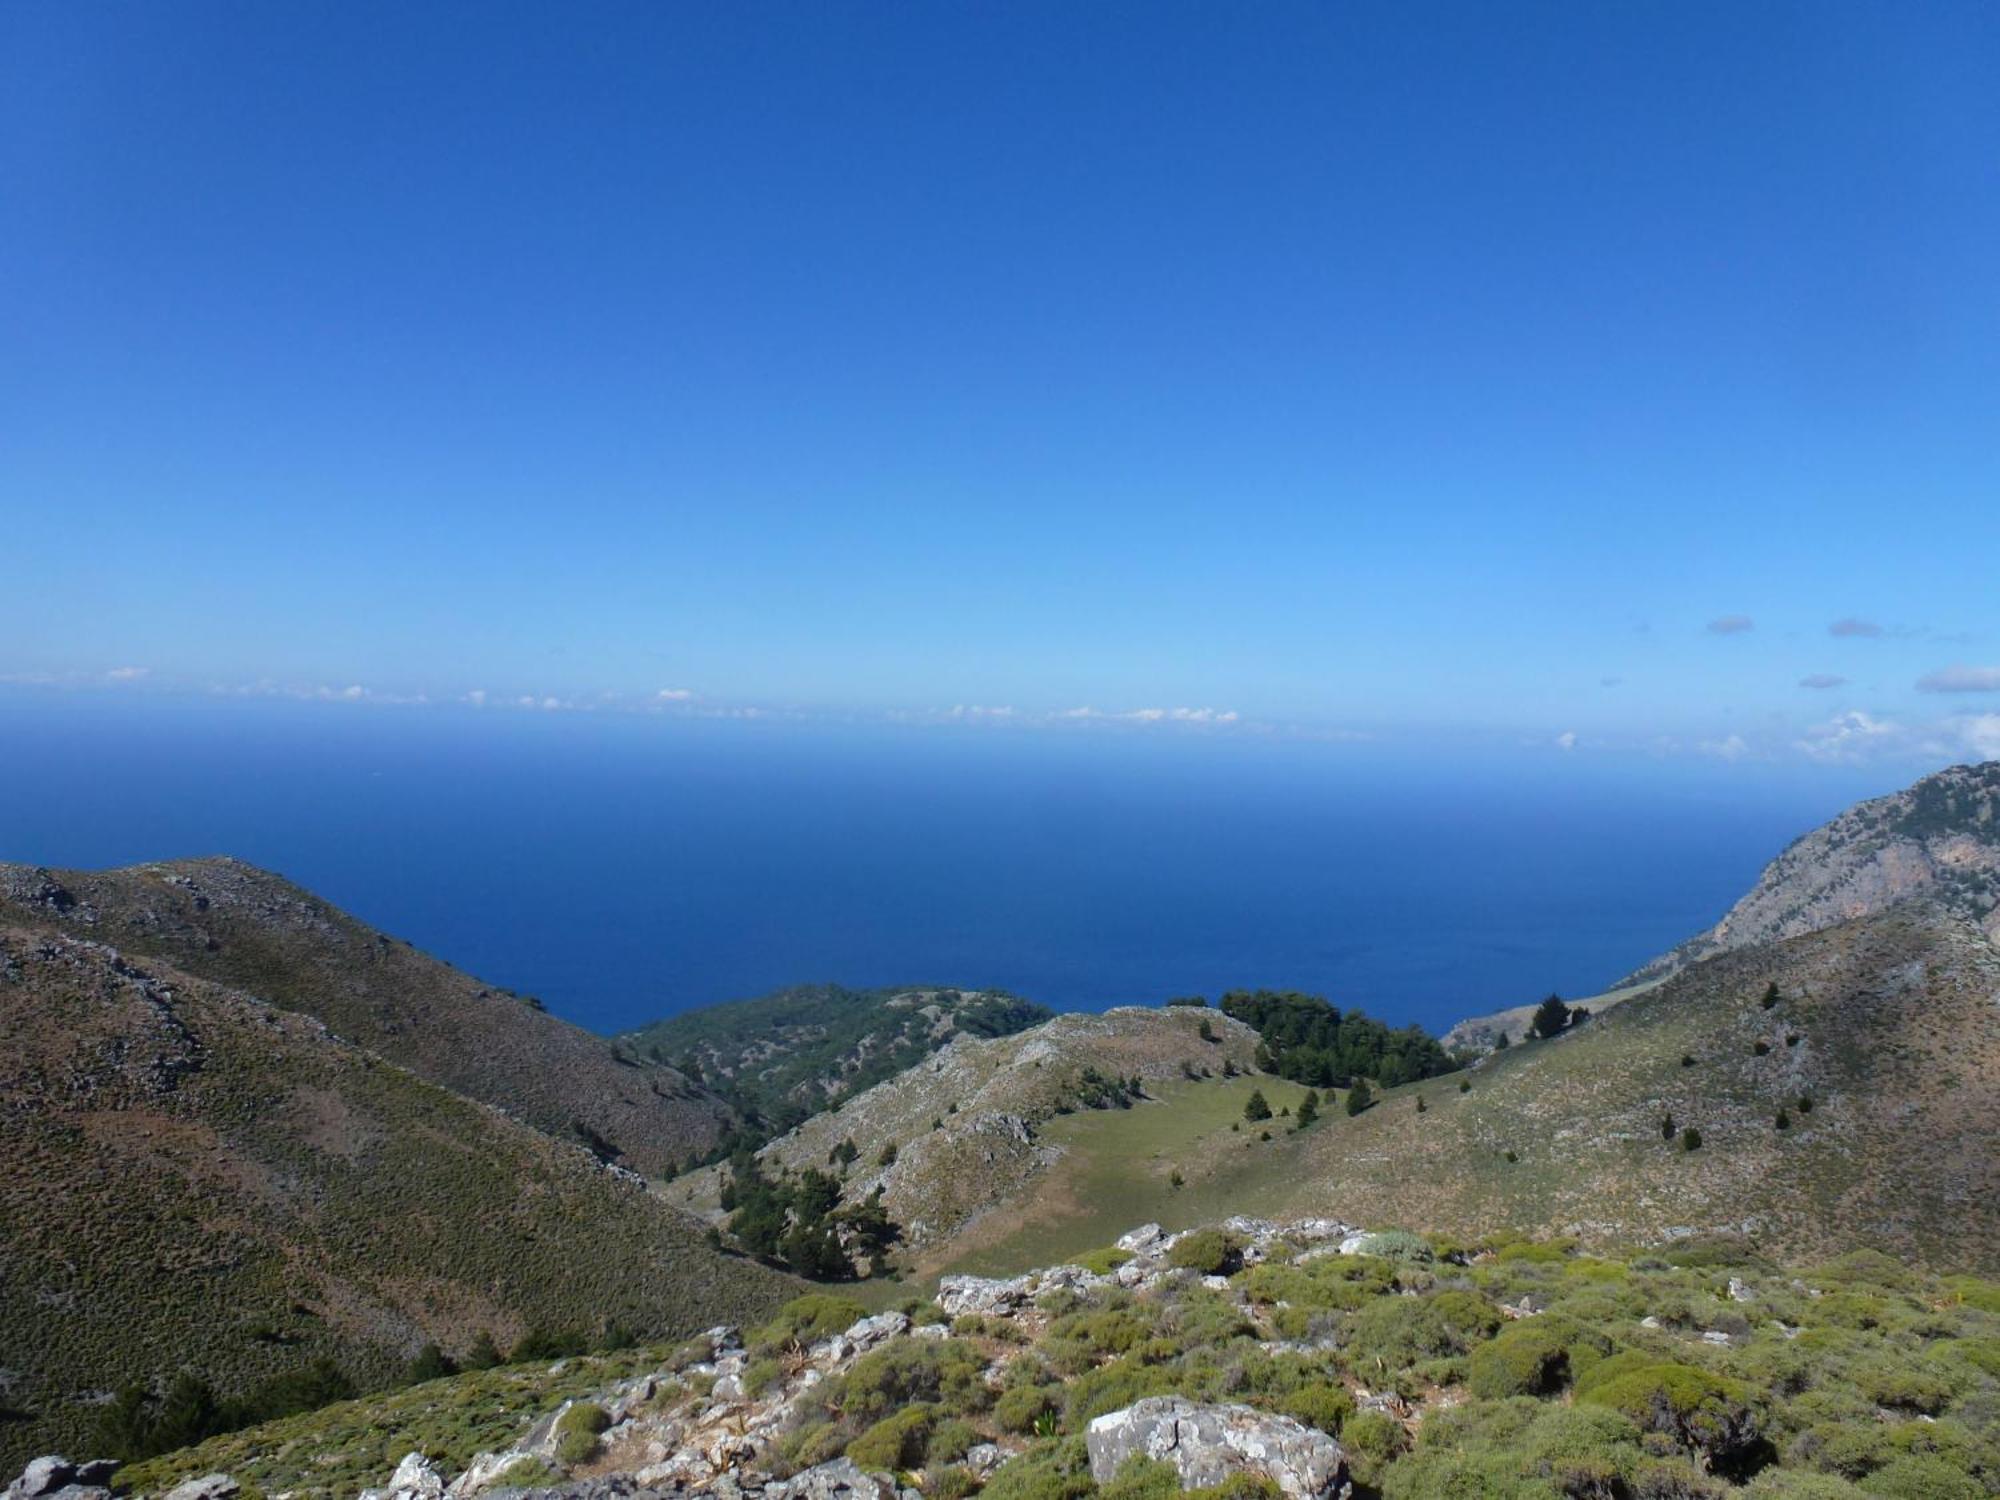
(1889, 1025)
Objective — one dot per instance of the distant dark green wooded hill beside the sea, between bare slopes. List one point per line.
(791, 1055)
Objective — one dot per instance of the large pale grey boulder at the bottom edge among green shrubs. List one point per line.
(1209, 1445)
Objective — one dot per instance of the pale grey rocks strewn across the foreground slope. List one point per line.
(693, 1427)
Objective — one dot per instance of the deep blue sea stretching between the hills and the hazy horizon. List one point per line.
(629, 869)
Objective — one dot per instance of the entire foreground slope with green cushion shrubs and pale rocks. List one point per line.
(1485, 1371)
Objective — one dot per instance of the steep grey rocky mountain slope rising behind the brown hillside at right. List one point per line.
(1937, 839)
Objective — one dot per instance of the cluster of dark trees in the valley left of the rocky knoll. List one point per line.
(801, 1223)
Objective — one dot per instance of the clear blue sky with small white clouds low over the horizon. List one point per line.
(1595, 377)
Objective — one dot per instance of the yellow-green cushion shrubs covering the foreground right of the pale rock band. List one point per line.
(1541, 1373)
